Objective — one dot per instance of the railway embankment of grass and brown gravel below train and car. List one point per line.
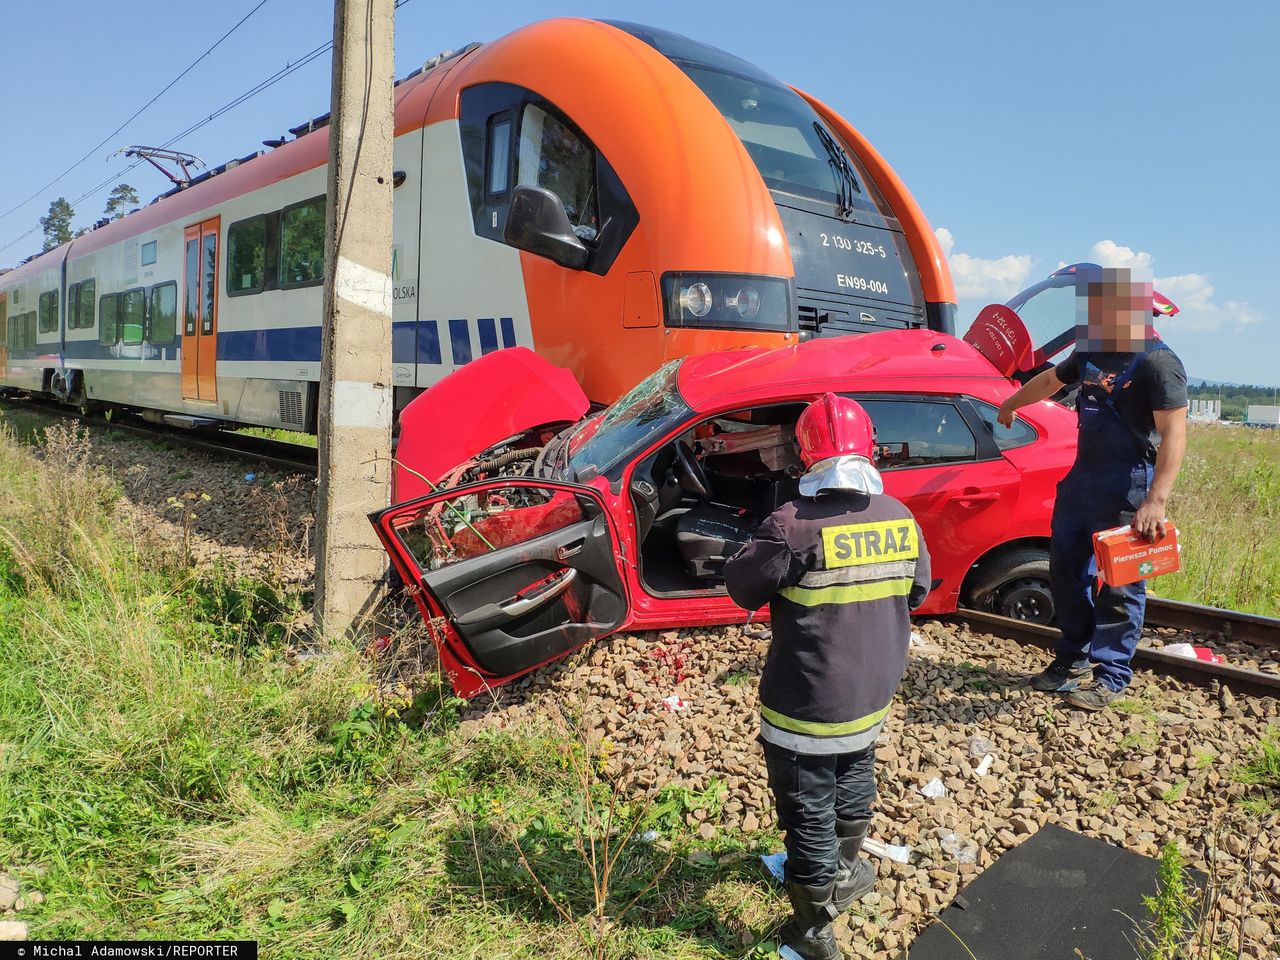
(175, 764)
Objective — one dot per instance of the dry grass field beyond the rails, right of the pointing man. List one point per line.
(1227, 508)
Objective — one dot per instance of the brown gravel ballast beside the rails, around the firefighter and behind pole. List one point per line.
(1156, 769)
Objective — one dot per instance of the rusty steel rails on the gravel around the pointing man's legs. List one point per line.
(1208, 623)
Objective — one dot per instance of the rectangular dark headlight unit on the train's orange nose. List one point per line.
(728, 301)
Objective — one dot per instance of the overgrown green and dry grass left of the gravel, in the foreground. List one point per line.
(173, 770)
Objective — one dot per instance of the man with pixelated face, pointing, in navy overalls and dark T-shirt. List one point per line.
(1132, 413)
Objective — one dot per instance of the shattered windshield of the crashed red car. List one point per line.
(652, 409)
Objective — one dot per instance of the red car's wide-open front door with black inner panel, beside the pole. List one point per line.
(510, 574)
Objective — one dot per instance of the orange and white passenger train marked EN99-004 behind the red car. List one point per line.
(606, 194)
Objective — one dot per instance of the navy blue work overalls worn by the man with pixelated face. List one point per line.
(1107, 486)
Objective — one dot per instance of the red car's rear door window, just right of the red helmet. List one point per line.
(920, 433)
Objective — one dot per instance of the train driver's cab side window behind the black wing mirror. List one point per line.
(554, 156)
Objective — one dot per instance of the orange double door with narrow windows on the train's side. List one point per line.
(200, 314)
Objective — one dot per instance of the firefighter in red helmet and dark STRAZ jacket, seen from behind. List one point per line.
(842, 568)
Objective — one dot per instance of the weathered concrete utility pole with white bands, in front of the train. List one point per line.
(355, 417)
